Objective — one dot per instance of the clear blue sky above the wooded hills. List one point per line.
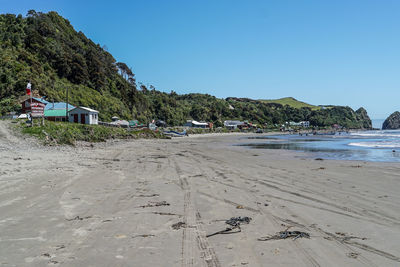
(342, 52)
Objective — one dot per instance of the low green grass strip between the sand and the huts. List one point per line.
(70, 133)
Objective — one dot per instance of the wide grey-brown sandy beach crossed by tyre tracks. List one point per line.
(114, 204)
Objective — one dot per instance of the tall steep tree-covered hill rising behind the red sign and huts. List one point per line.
(45, 49)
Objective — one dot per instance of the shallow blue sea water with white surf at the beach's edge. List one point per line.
(382, 145)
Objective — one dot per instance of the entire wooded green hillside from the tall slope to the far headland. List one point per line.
(45, 49)
